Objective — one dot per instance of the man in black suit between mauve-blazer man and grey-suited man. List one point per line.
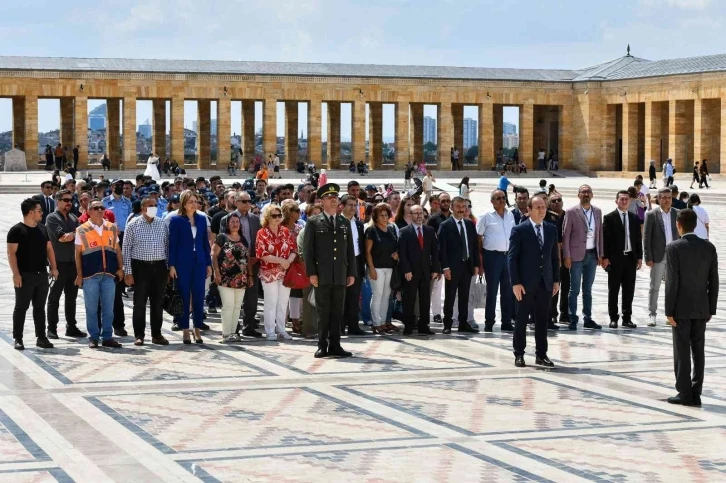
(622, 258)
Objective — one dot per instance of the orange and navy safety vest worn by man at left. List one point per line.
(98, 252)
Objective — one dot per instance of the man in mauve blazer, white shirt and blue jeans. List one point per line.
(582, 246)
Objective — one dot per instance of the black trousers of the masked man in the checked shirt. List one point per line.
(149, 282)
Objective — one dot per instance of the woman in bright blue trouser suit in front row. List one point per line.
(190, 261)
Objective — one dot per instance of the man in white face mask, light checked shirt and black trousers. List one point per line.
(145, 255)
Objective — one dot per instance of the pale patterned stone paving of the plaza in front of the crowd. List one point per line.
(442, 408)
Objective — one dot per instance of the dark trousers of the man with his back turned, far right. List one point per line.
(689, 336)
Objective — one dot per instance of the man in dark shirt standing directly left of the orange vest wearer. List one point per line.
(61, 225)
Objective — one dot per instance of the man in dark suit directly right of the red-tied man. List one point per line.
(460, 259)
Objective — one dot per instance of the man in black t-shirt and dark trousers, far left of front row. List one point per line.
(29, 253)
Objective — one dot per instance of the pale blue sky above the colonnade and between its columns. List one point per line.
(529, 34)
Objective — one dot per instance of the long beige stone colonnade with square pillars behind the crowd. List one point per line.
(594, 125)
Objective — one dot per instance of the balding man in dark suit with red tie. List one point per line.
(418, 260)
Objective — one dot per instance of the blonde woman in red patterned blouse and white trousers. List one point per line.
(276, 248)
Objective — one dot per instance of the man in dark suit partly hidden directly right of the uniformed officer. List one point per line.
(352, 292)
